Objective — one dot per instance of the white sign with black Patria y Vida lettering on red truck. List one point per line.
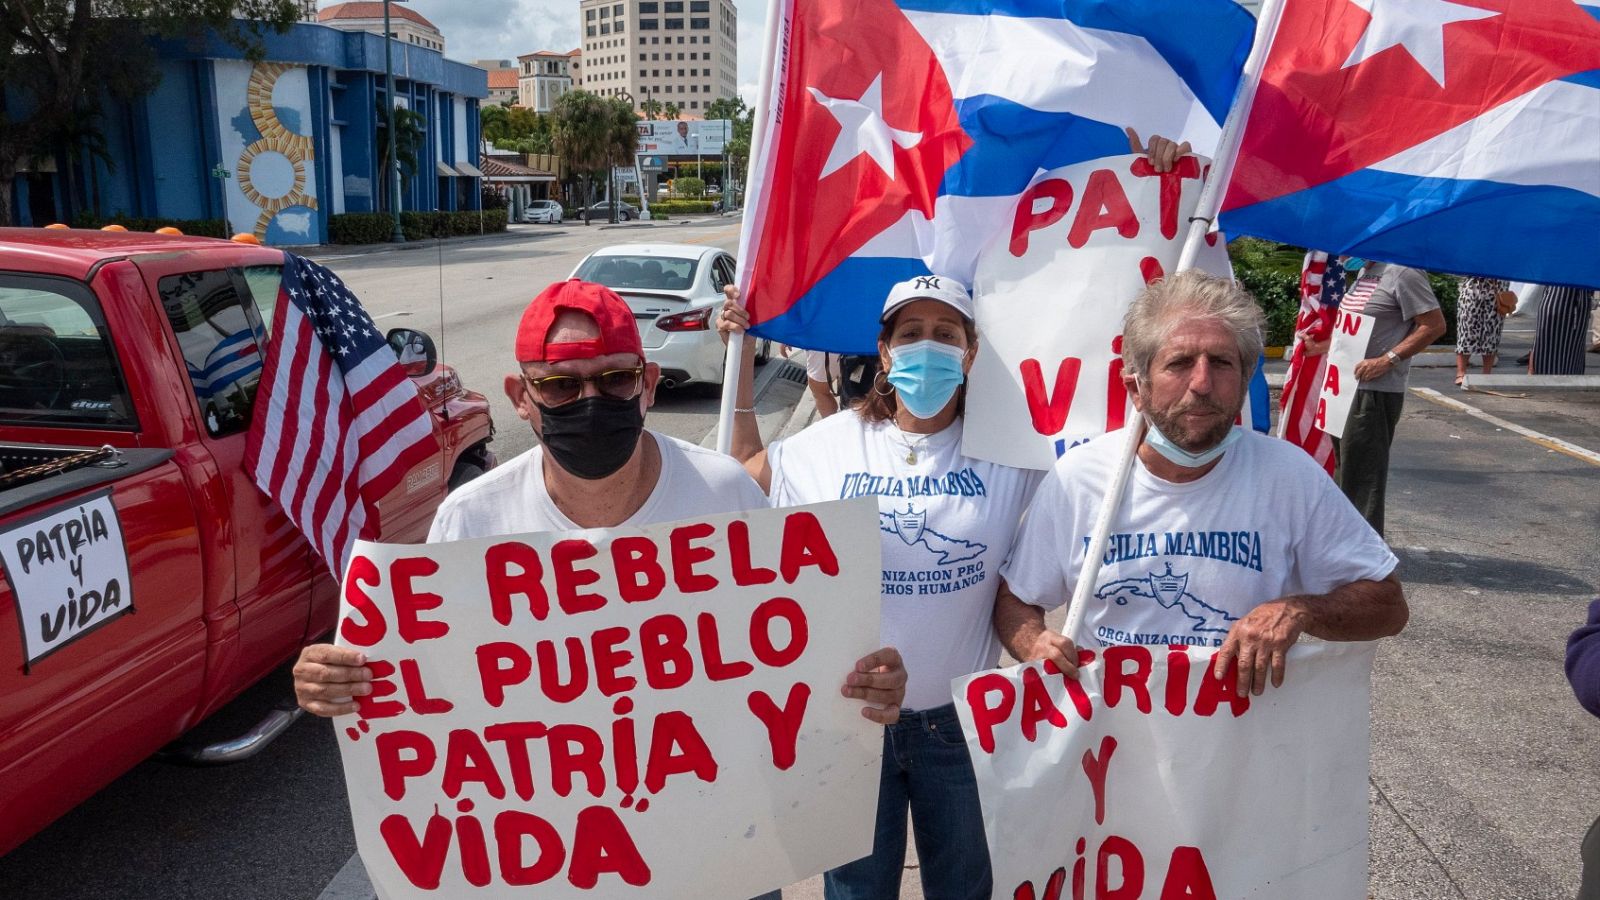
(68, 573)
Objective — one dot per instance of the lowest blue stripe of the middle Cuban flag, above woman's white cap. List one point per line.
(841, 315)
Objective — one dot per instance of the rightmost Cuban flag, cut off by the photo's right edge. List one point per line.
(1457, 135)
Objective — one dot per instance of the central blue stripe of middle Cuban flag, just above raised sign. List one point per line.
(1006, 132)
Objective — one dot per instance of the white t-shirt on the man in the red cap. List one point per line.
(513, 500)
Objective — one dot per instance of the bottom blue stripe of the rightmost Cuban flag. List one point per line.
(1524, 233)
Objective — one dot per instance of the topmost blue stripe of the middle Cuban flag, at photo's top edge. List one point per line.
(1207, 52)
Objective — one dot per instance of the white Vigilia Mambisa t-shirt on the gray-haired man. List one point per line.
(1190, 560)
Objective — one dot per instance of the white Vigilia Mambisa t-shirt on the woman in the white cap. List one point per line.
(946, 524)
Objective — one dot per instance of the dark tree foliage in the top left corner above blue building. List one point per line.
(62, 60)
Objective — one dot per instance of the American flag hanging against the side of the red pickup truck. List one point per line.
(337, 425)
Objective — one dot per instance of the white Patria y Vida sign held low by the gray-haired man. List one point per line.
(1151, 779)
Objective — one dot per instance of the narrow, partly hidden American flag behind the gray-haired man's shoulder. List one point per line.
(1322, 287)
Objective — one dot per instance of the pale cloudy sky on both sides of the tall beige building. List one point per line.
(506, 30)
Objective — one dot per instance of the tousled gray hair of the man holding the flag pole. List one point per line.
(1188, 297)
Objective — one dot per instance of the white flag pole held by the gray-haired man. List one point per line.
(1199, 225)
